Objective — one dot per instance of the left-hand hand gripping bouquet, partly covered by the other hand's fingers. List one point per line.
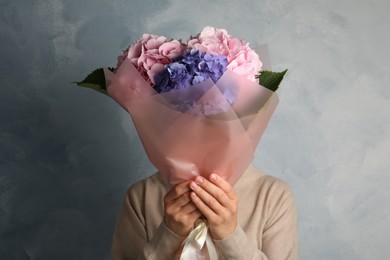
(180, 212)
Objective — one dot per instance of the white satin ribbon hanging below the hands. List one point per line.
(195, 241)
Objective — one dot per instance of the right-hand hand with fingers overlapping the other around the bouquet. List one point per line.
(217, 201)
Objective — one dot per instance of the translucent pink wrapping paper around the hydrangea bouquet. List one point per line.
(184, 145)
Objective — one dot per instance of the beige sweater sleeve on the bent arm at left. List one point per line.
(130, 240)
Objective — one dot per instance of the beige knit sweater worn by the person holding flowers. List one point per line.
(266, 216)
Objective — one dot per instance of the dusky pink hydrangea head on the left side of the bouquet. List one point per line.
(150, 53)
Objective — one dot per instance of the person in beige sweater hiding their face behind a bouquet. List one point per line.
(255, 219)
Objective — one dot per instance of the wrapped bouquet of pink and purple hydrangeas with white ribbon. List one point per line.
(199, 107)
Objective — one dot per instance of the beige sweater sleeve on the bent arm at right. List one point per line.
(279, 238)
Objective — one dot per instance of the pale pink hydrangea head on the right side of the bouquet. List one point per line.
(241, 58)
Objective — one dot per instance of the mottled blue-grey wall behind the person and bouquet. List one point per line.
(68, 154)
